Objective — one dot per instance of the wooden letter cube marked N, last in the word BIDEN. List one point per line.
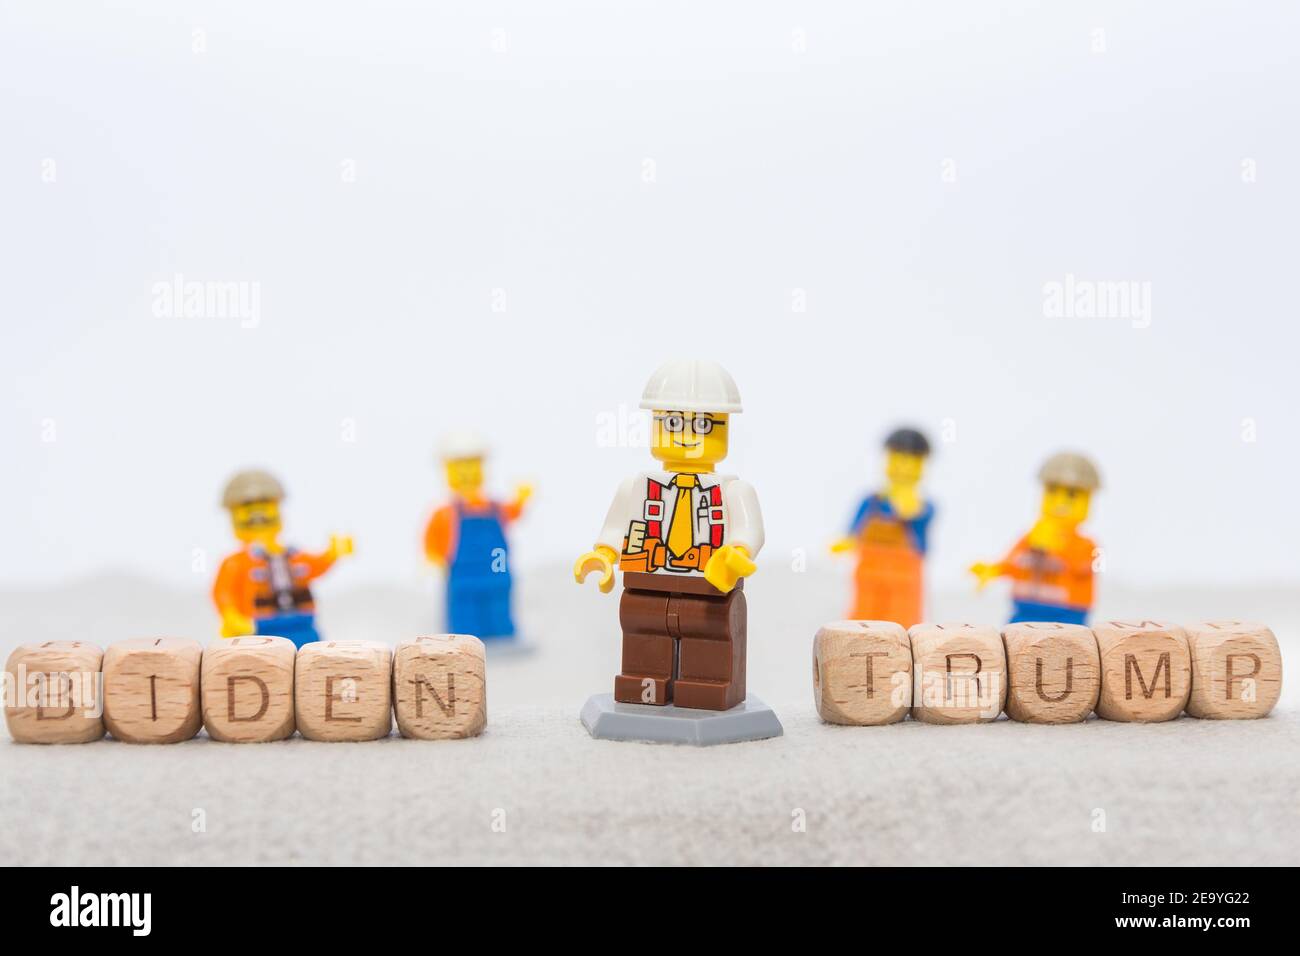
(440, 687)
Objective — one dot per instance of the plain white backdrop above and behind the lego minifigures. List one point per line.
(505, 146)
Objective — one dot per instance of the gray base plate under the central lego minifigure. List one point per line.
(608, 720)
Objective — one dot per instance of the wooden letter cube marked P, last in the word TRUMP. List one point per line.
(1237, 671)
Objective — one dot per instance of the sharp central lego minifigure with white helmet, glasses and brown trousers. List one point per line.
(684, 539)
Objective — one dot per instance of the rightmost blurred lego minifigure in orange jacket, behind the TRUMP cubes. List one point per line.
(1051, 568)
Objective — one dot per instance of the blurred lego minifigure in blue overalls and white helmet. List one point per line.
(467, 539)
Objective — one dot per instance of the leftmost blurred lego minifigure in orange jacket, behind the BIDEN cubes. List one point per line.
(266, 587)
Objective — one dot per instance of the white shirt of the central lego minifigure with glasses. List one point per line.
(739, 517)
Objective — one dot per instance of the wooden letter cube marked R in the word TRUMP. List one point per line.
(960, 673)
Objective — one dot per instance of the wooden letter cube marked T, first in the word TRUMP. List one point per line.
(863, 673)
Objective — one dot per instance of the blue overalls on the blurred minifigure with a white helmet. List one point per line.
(479, 596)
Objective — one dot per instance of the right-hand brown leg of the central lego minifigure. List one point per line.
(712, 669)
